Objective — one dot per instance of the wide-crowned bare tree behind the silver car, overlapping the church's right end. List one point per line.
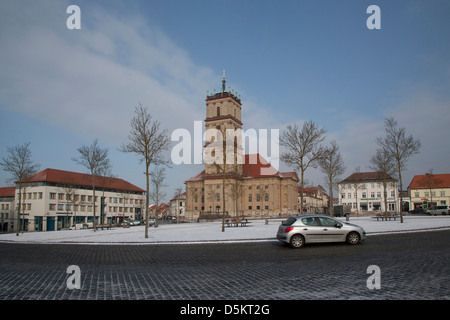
(303, 149)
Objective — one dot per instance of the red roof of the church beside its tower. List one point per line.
(255, 166)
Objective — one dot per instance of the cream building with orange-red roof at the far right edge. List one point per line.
(428, 190)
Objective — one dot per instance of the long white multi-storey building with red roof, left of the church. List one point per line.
(55, 199)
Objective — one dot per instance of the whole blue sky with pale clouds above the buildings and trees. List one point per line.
(291, 61)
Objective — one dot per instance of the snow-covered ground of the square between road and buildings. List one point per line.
(256, 230)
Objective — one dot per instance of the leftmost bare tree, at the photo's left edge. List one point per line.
(19, 164)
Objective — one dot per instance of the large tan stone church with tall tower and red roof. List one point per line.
(248, 186)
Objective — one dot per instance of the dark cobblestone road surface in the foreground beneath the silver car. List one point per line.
(413, 266)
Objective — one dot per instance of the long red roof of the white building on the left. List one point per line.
(81, 179)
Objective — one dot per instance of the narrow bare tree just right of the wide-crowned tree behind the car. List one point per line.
(332, 165)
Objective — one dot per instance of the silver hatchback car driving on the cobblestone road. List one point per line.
(298, 230)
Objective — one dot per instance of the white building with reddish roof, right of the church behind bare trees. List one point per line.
(365, 192)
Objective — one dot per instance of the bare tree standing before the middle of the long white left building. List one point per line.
(95, 160)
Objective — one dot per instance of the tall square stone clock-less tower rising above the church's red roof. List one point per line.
(223, 113)
